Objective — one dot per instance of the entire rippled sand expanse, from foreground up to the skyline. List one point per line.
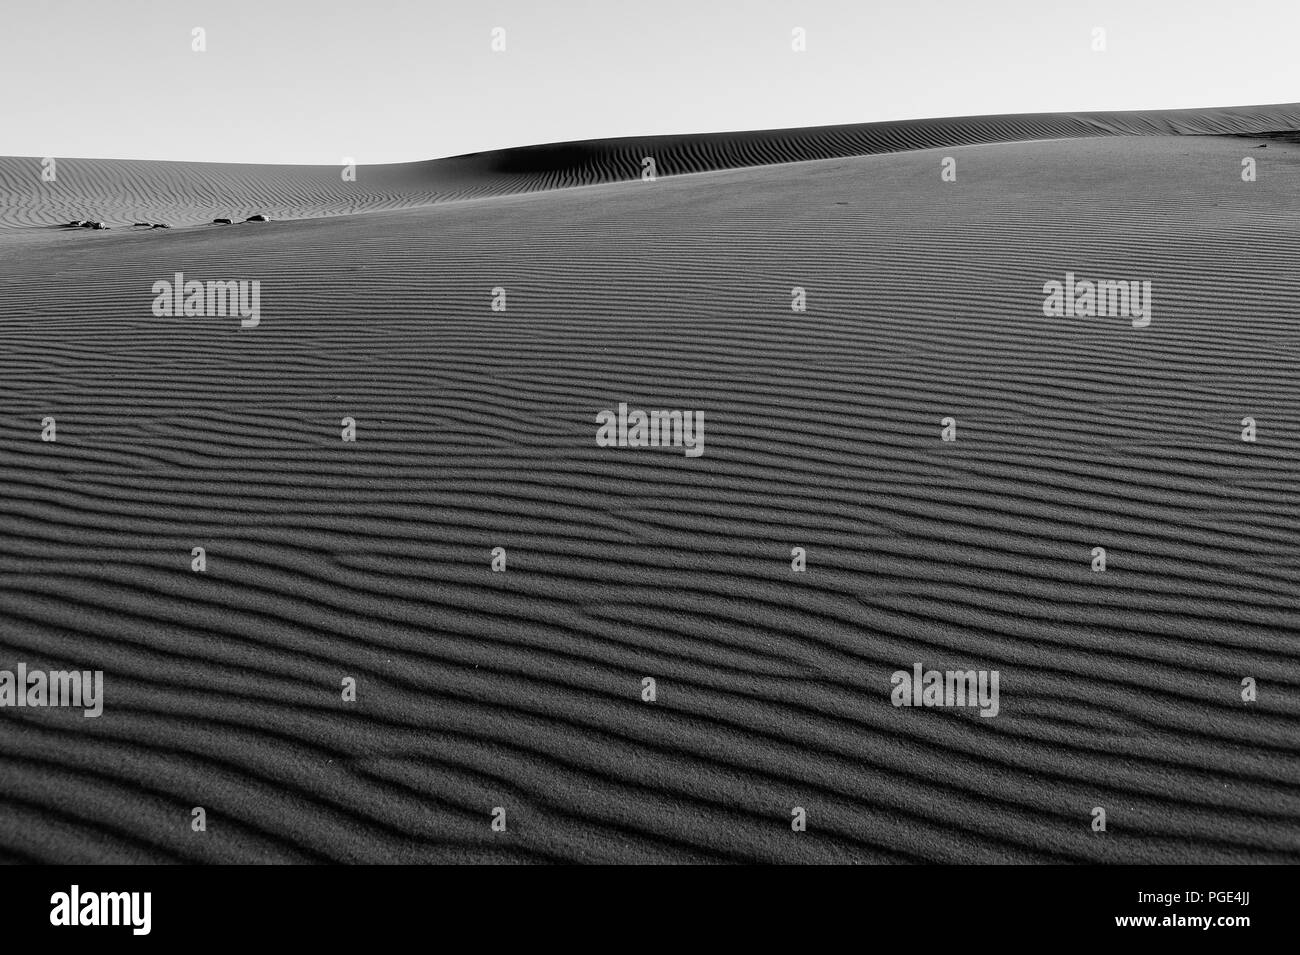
(371, 561)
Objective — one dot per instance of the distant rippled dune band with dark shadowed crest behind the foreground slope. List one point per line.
(124, 192)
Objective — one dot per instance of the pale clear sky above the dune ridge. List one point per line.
(392, 81)
